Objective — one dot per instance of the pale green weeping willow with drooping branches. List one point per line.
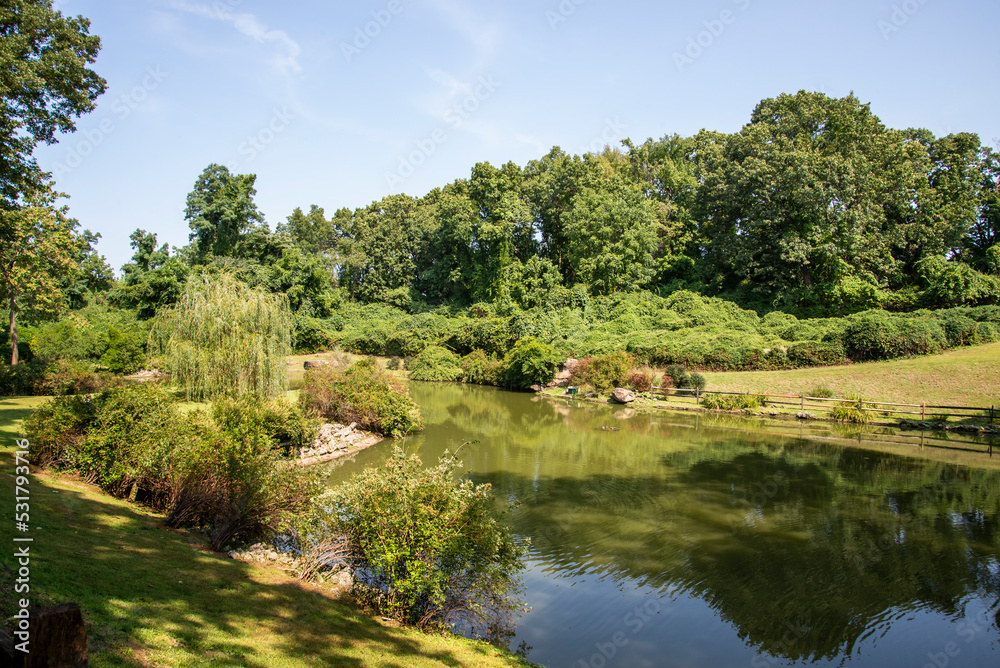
(224, 337)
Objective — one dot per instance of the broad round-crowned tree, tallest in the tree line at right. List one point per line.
(812, 191)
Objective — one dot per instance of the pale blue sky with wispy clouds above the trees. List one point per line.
(340, 104)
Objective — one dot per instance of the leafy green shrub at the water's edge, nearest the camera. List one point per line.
(425, 549)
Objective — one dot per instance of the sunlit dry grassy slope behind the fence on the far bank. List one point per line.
(961, 377)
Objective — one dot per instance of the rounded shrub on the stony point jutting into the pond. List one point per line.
(362, 393)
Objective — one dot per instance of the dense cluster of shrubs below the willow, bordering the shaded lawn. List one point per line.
(224, 474)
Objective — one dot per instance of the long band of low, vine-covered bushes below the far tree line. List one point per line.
(684, 328)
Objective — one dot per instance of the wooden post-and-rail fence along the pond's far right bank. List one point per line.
(802, 401)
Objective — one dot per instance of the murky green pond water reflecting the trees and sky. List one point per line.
(676, 539)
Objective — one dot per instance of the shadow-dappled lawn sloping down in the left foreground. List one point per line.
(154, 597)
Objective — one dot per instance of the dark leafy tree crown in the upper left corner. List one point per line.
(45, 84)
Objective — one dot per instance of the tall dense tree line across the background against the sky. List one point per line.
(814, 207)
